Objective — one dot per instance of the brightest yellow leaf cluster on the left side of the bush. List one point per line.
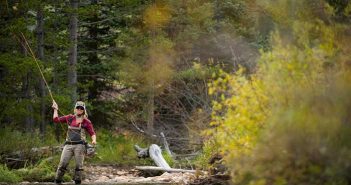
(245, 105)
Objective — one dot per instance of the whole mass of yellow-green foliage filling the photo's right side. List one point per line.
(288, 123)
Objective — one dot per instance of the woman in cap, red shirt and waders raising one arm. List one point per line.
(75, 144)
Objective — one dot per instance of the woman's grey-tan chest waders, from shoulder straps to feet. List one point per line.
(74, 147)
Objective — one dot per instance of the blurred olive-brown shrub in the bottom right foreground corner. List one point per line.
(307, 142)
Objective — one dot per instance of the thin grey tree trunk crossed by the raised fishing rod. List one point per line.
(40, 53)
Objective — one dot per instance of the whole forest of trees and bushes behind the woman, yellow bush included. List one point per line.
(264, 83)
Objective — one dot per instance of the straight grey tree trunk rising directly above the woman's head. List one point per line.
(72, 60)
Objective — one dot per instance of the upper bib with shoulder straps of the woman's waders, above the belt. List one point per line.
(75, 135)
